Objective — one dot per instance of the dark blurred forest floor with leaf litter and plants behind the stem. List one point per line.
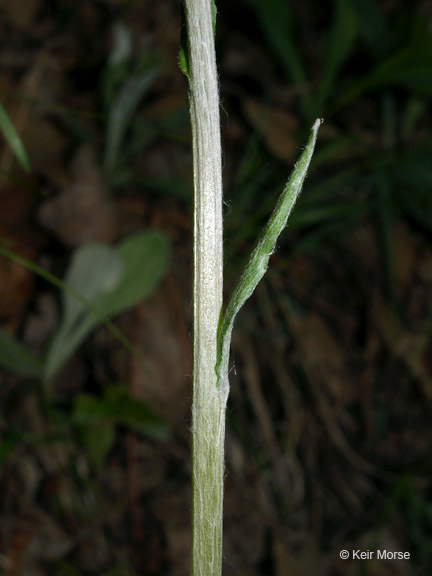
(329, 419)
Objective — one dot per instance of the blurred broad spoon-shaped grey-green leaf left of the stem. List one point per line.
(113, 280)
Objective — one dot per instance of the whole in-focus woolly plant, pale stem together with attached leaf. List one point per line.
(212, 327)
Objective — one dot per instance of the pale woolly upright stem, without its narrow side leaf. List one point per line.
(209, 402)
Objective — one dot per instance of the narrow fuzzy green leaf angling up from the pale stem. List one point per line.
(258, 262)
